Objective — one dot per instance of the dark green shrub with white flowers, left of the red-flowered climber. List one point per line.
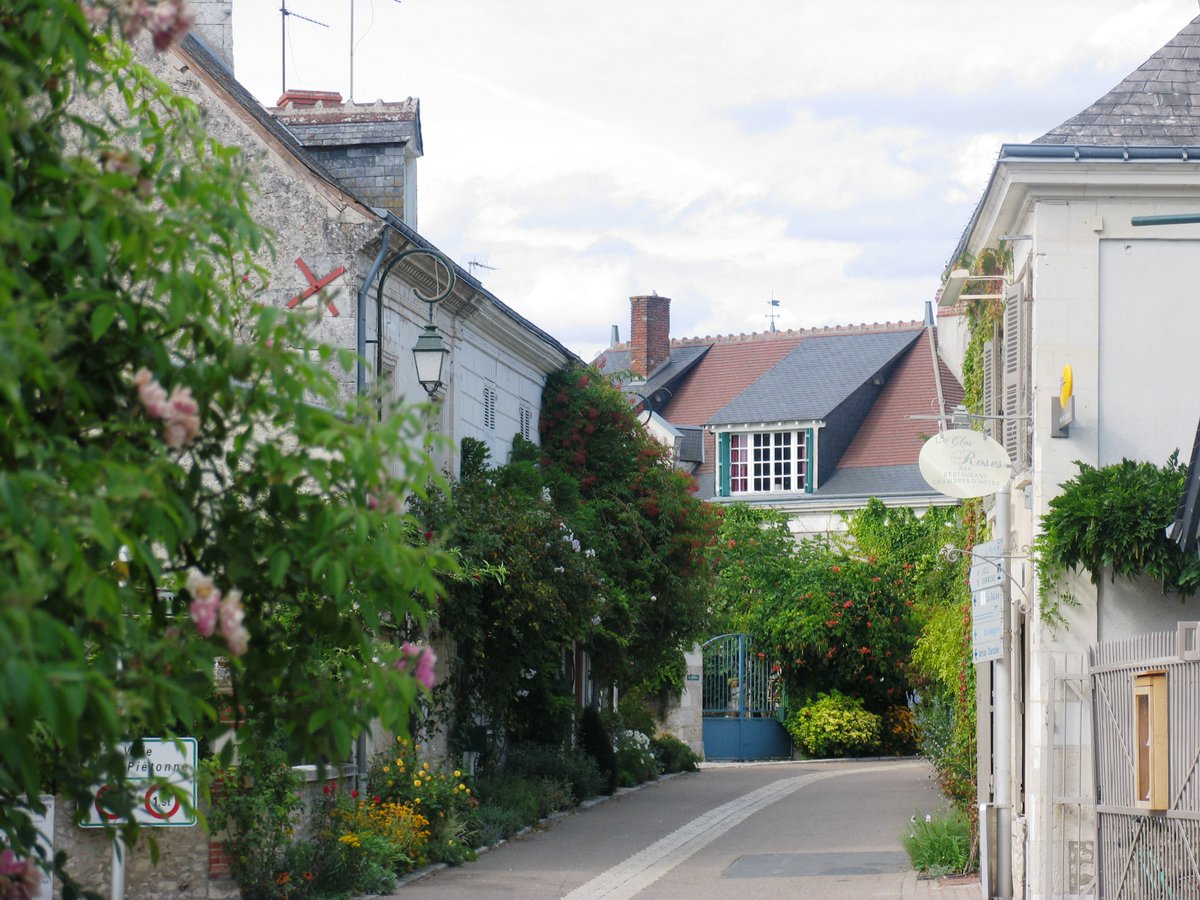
(530, 590)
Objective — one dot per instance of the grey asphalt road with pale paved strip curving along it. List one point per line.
(796, 830)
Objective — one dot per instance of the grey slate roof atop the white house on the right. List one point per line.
(1157, 105)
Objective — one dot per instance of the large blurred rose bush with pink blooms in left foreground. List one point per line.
(159, 423)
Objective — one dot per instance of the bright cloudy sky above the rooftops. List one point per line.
(826, 154)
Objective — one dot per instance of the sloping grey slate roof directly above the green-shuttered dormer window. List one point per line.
(815, 379)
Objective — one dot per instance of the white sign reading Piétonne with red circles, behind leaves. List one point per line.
(163, 763)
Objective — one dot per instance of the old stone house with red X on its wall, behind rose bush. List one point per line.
(337, 187)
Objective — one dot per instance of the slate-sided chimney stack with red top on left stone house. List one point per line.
(371, 148)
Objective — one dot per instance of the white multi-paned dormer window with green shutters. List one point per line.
(765, 463)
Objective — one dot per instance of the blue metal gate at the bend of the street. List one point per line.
(741, 692)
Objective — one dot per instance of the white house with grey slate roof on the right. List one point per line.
(1119, 304)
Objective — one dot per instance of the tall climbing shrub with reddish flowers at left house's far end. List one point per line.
(653, 538)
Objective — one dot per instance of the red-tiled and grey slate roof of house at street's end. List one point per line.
(819, 374)
